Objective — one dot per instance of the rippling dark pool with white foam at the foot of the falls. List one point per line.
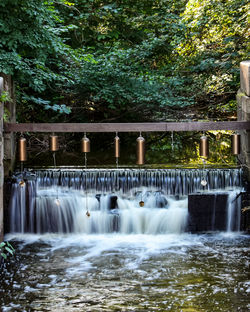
(128, 273)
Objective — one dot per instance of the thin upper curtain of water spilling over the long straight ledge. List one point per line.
(172, 181)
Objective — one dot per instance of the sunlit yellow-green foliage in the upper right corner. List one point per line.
(214, 44)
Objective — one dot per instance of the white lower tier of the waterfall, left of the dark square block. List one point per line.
(61, 210)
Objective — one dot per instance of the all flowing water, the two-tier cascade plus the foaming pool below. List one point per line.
(124, 256)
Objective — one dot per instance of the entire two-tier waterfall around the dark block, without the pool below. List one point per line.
(55, 200)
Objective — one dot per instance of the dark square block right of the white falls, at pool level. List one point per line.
(207, 212)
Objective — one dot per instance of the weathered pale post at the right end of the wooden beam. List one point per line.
(243, 100)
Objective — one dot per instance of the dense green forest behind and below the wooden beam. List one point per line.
(126, 61)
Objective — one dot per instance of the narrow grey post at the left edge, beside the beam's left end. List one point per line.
(1, 159)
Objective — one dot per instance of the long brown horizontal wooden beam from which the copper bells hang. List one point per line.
(127, 127)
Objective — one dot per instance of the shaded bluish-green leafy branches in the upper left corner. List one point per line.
(30, 48)
